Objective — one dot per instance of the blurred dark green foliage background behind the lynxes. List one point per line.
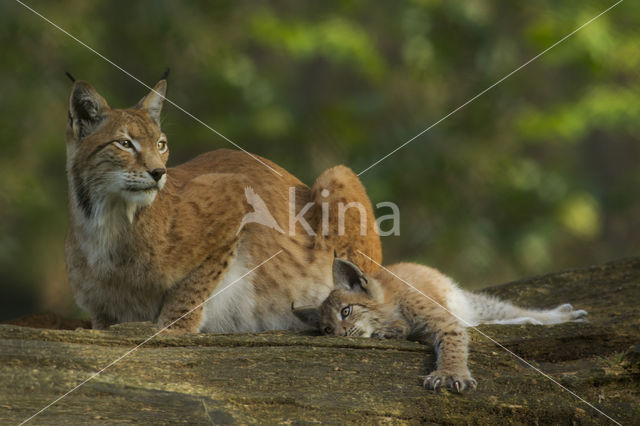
(541, 173)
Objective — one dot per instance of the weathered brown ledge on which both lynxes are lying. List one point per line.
(285, 377)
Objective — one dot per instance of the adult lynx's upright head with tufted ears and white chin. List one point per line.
(115, 157)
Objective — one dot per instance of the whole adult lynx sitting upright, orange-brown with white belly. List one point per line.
(150, 243)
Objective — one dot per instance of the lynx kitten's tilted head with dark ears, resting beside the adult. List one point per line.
(354, 308)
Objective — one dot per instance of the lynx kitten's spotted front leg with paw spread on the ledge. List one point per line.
(451, 345)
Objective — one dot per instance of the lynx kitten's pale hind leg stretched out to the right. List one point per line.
(485, 309)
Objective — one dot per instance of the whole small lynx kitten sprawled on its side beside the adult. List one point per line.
(383, 306)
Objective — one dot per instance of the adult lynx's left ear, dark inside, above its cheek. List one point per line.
(86, 109)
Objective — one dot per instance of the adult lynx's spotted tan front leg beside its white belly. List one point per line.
(184, 303)
